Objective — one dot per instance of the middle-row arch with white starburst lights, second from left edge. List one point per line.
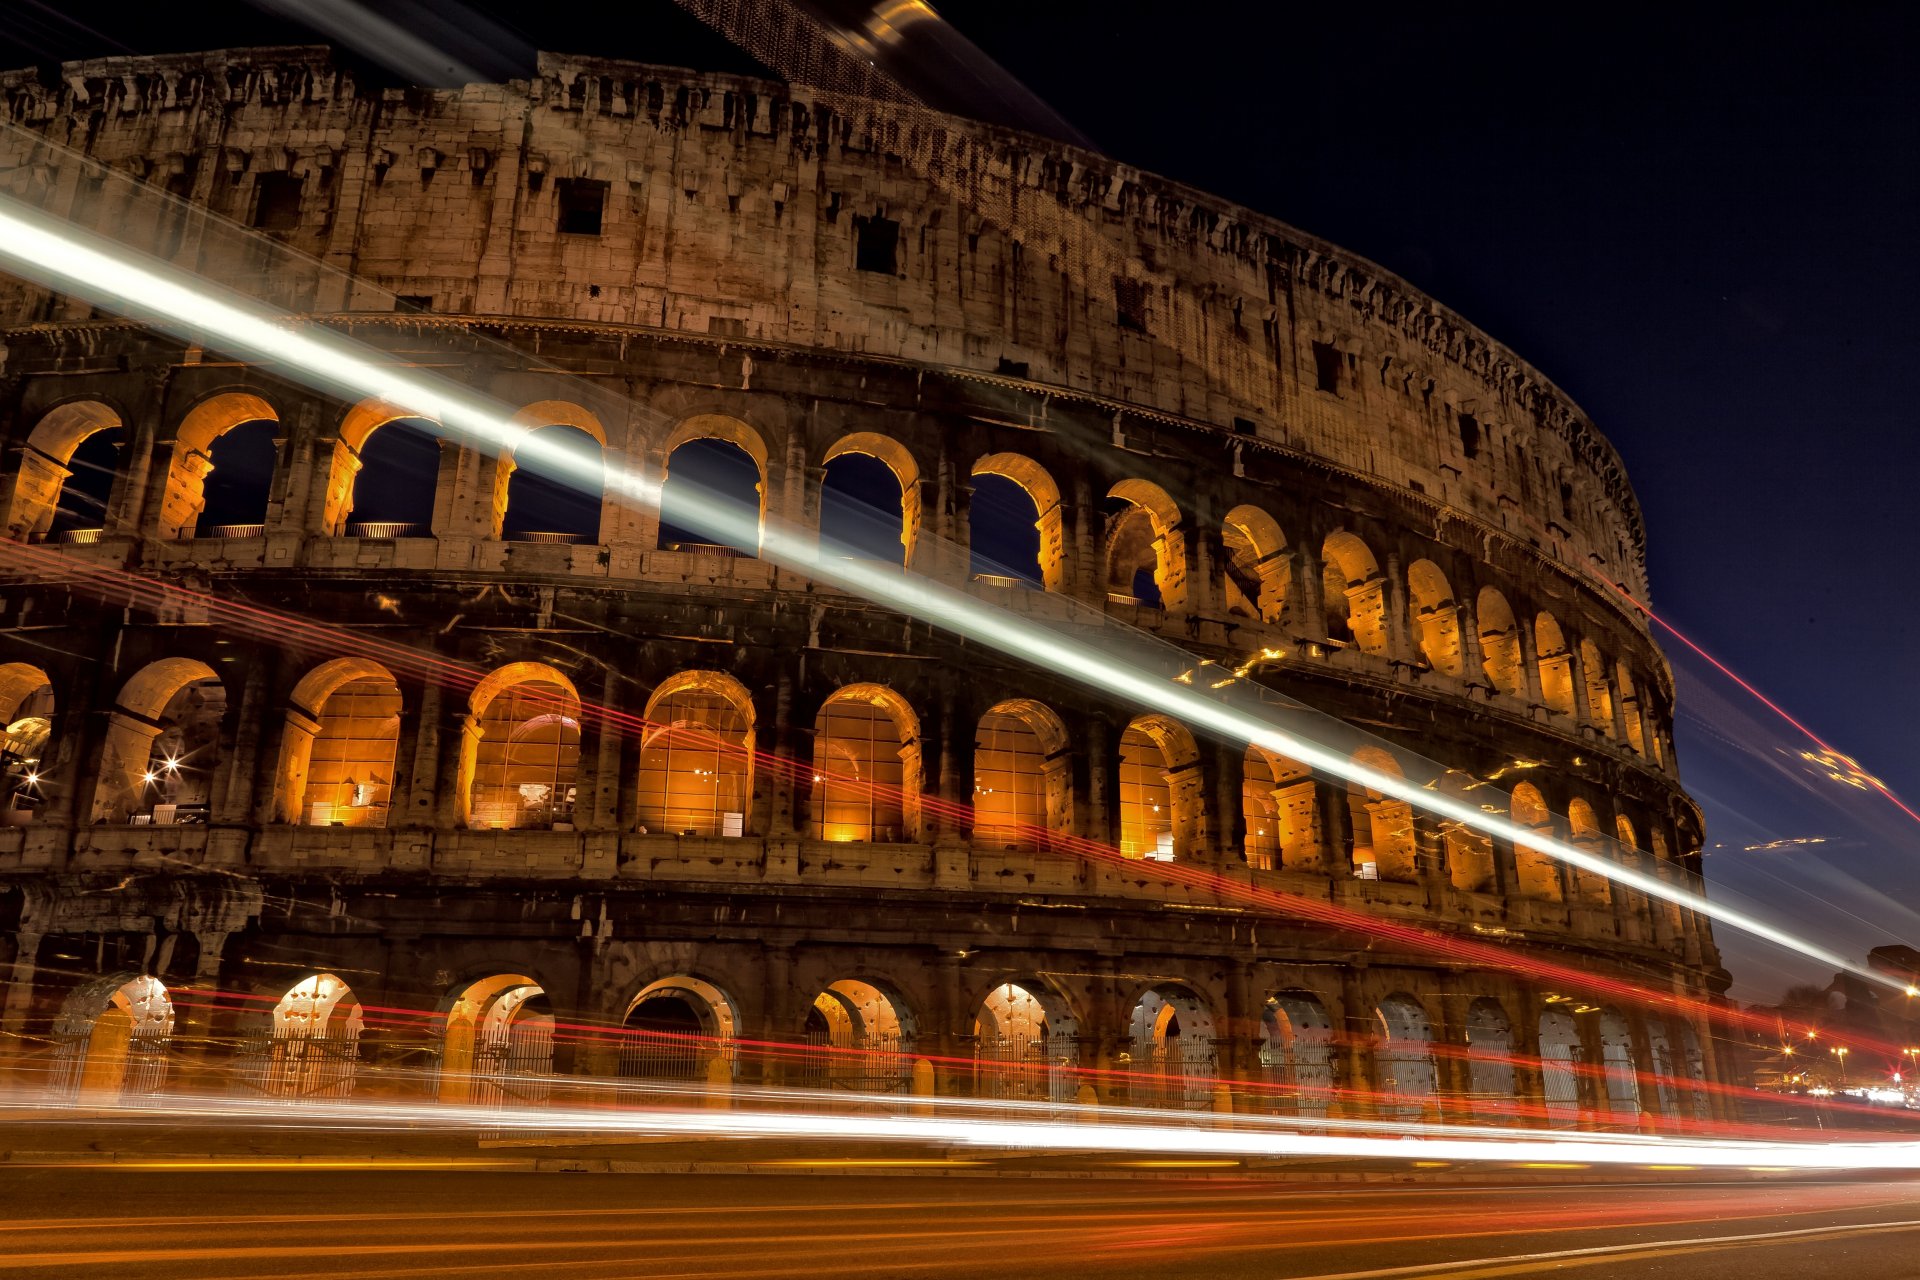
(162, 746)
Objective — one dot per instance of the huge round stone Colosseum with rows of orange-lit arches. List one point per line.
(638, 795)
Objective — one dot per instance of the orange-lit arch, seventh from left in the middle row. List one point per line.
(1022, 776)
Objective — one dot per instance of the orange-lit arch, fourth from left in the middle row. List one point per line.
(521, 755)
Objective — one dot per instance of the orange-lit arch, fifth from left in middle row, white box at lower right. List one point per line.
(696, 757)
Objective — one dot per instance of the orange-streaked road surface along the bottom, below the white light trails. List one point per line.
(181, 1220)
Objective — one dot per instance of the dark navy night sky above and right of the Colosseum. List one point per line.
(1702, 225)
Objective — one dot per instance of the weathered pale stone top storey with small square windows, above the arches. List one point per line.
(738, 208)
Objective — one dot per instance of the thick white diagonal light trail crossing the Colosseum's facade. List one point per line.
(172, 302)
